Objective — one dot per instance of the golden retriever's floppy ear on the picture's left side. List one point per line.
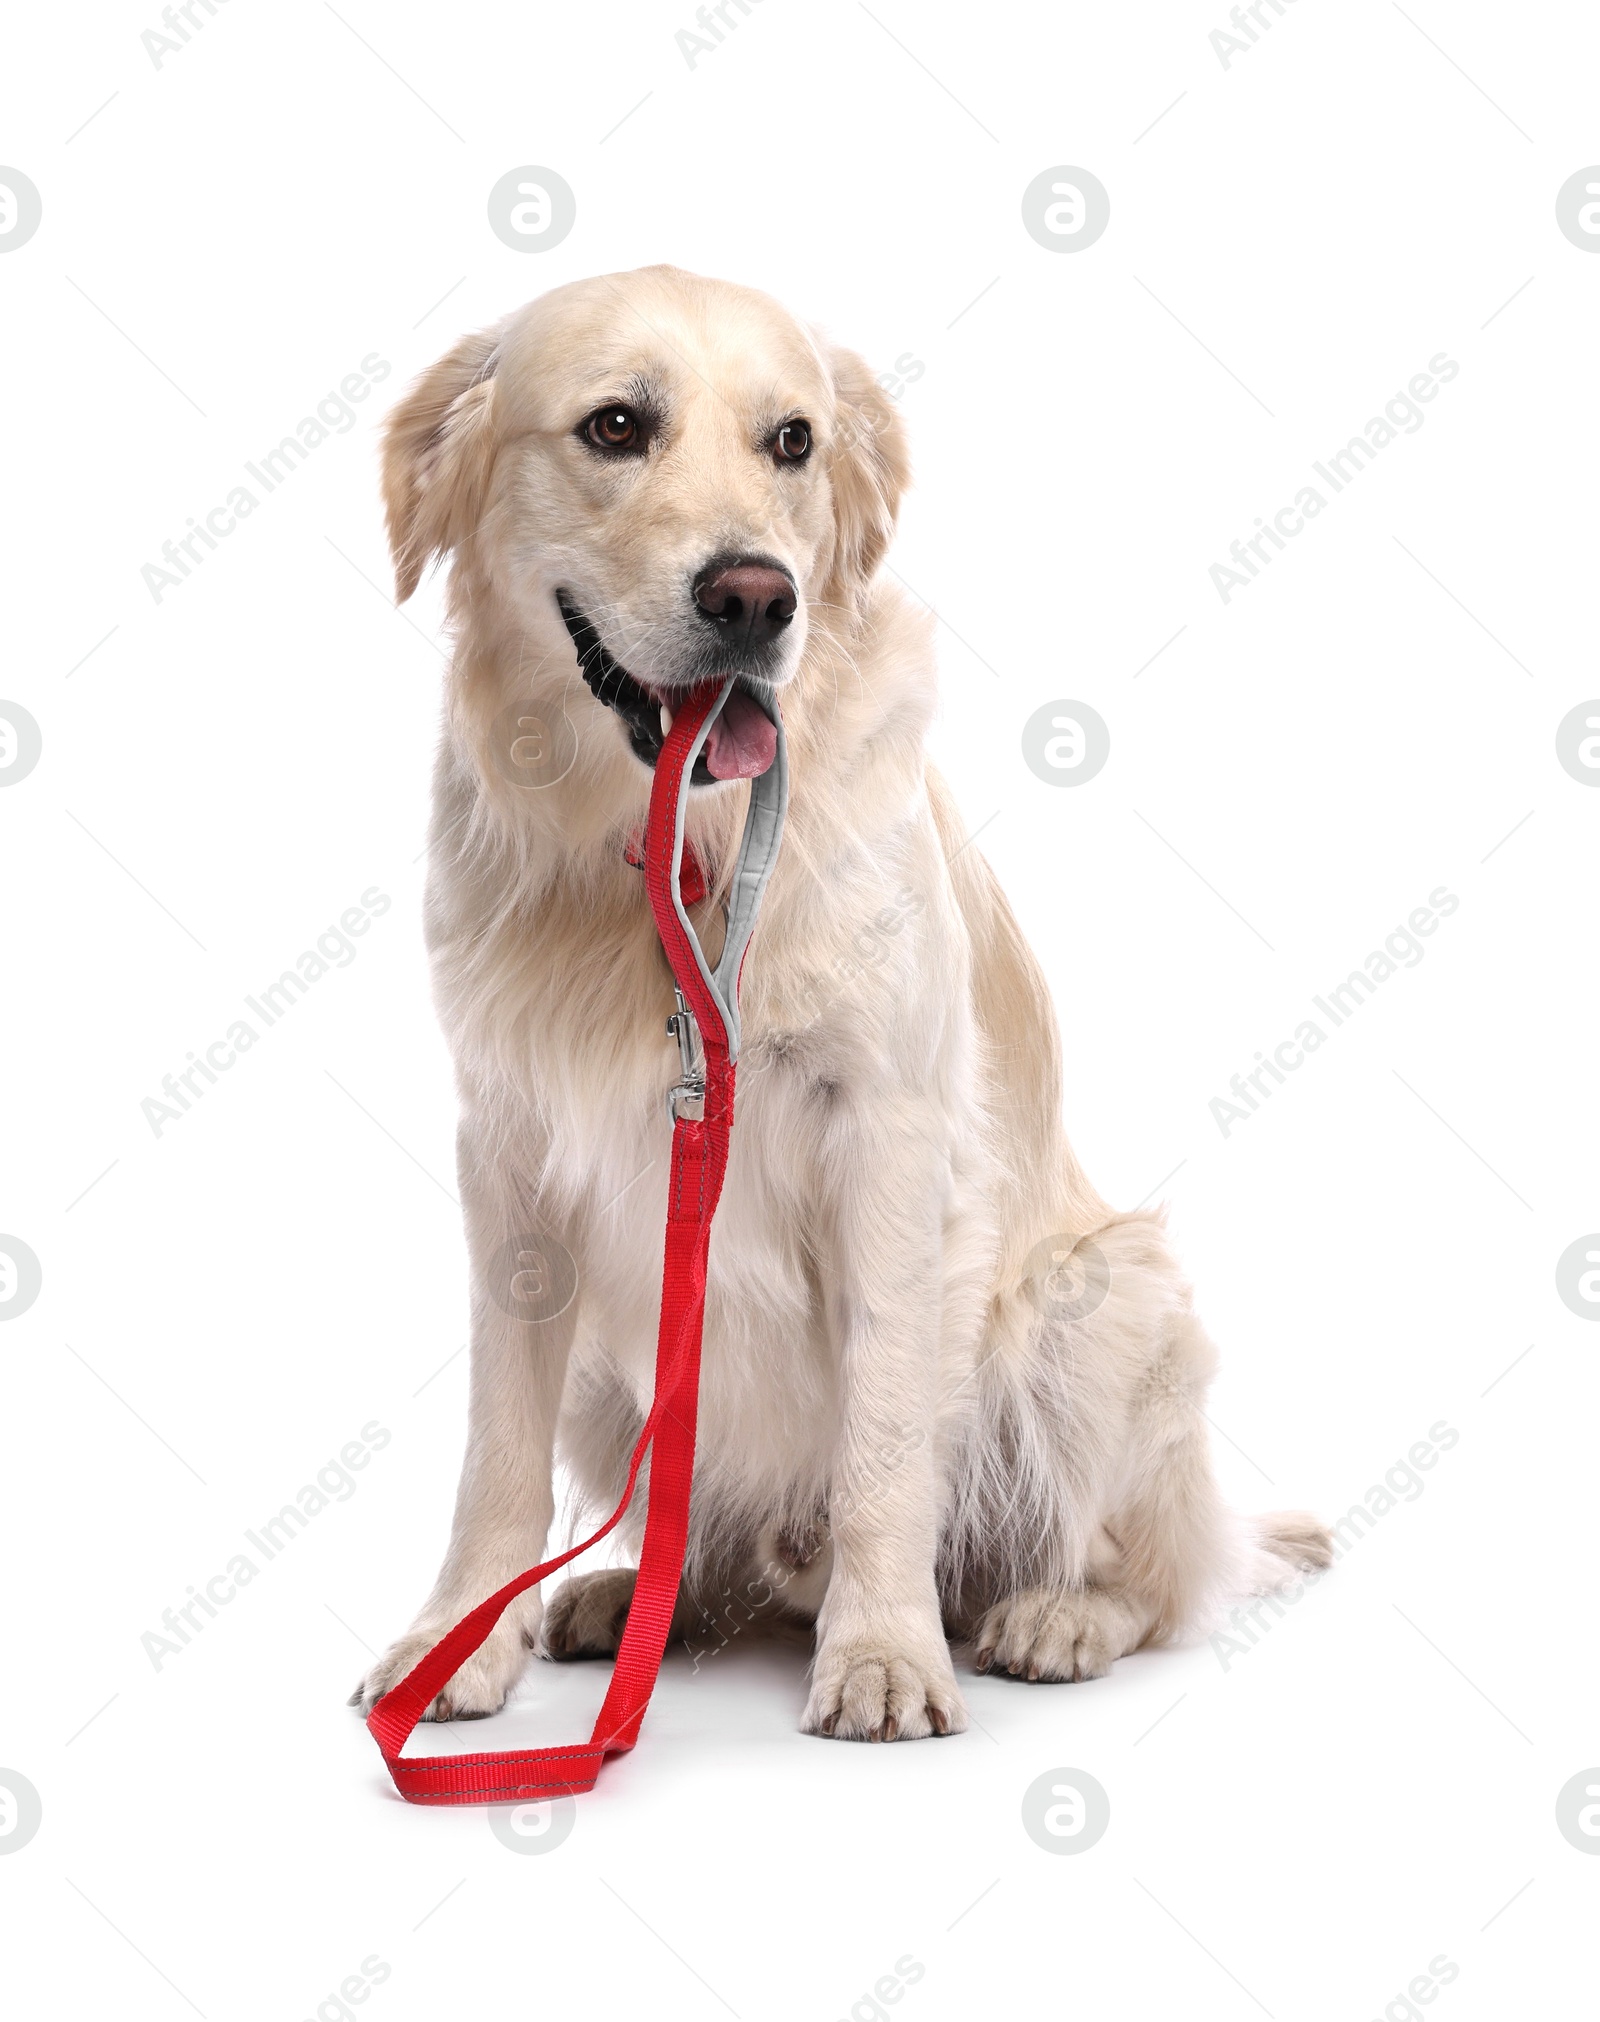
(438, 456)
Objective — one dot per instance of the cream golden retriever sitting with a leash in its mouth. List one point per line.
(950, 1394)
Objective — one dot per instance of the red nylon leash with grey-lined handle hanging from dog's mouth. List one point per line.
(703, 1109)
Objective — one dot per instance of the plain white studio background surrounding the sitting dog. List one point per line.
(230, 769)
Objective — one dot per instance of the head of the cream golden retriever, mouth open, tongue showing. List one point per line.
(673, 470)
